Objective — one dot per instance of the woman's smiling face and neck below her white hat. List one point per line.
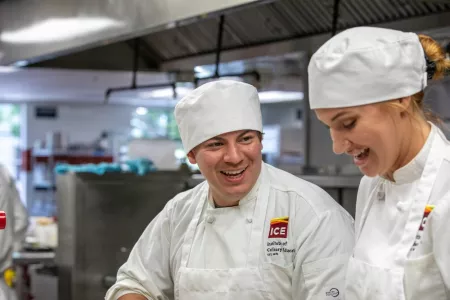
(377, 137)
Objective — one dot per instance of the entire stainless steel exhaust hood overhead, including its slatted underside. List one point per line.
(181, 34)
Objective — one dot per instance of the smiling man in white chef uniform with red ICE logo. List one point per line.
(249, 231)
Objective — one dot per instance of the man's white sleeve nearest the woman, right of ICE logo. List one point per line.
(322, 257)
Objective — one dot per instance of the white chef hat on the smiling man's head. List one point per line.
(215, 108)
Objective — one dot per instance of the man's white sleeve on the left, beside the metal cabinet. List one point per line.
(147, 270)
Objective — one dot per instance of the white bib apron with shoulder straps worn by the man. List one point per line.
(226, 284)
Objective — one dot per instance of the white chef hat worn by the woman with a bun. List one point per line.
(366, 65)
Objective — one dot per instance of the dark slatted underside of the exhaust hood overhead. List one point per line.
(258, 25)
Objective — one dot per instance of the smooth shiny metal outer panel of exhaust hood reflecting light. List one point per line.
(32, 30)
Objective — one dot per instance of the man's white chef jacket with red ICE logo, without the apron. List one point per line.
(308, 263)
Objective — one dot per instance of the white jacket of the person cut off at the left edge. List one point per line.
(16, 225)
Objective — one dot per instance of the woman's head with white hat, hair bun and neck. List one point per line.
(381, 128)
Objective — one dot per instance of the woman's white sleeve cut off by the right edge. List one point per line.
(441, 239)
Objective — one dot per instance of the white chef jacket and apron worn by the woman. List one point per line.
(419, 261)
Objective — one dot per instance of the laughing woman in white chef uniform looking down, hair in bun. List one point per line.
(367, 86)
